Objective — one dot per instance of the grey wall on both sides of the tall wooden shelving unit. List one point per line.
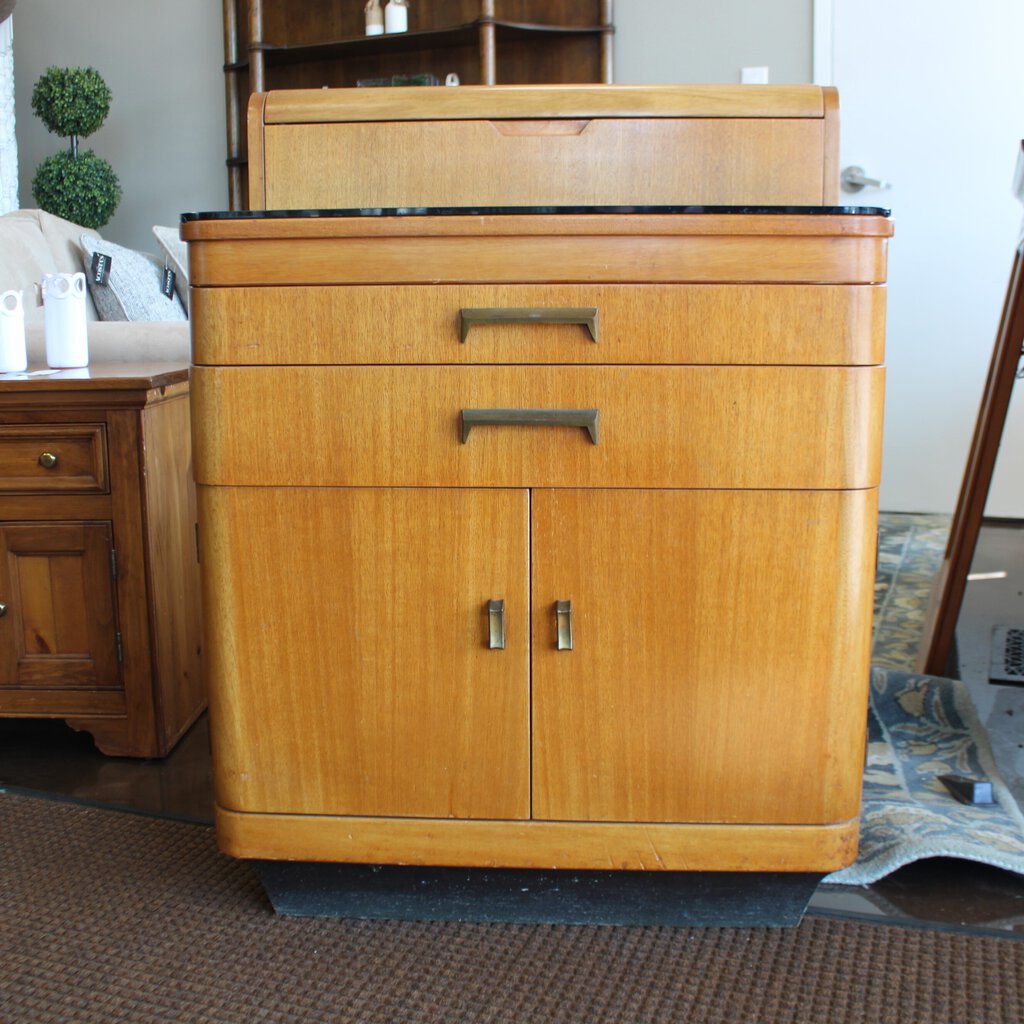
(165, 133)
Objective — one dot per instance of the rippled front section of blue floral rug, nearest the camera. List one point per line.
(921, 728)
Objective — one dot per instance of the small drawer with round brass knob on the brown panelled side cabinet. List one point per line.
(69, 458)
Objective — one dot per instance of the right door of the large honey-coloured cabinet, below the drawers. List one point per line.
(720, 655)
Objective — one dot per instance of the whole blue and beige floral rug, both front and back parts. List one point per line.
(921, 728)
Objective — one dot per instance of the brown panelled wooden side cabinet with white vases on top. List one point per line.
(99, 579)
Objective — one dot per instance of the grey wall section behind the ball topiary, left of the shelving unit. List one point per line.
(165, 134)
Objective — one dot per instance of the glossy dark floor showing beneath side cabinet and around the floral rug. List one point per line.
(46, 756)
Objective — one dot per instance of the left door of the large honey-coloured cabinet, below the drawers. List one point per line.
(351, 667)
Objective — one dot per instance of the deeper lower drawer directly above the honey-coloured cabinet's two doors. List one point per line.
(759, 428)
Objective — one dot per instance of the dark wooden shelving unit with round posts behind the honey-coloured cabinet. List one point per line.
(271, 45)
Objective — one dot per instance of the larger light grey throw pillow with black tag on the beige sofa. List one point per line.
(134, 288)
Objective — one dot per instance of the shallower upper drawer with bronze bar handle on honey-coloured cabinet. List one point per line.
(812, 325)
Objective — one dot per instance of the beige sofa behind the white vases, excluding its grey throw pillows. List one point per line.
(34, 243)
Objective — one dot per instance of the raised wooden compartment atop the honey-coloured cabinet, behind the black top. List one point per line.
(511, 146)
